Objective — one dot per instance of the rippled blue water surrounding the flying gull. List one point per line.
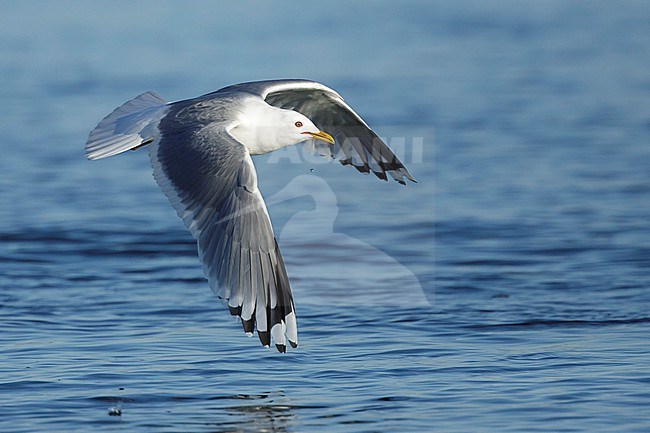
(507, 291)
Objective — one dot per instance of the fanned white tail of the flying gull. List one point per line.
(128, 127)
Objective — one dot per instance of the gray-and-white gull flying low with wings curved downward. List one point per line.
(200, 151)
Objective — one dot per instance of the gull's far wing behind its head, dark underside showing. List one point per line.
(356, 144)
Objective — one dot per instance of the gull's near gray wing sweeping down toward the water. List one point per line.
(210, 180)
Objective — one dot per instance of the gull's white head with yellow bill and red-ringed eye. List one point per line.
(264, 128)
